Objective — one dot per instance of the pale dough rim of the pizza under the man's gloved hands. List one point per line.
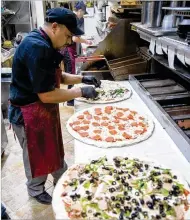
(127, 95)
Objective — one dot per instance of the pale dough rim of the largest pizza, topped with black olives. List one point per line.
(58, 205)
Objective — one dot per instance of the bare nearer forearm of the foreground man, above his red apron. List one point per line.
(59, 95)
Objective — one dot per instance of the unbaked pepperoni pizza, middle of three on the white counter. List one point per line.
(110, 126)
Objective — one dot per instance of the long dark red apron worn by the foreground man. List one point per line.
(44, 137)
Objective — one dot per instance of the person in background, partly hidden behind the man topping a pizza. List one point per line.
(69, 53)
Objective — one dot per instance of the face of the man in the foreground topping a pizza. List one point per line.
(62, 37)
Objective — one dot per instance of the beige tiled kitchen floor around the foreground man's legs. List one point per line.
(14, 194)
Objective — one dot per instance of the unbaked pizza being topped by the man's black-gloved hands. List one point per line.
(108, 92)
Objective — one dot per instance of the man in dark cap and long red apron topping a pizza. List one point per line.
(34, 98)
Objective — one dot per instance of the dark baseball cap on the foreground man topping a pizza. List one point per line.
(66, 17)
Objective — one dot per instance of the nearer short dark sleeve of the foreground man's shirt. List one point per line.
(41, 68)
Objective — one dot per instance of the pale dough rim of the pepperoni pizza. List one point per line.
(104, 144)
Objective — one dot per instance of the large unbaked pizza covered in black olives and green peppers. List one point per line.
(121, 188)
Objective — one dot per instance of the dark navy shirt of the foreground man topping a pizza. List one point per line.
(33, 71)
